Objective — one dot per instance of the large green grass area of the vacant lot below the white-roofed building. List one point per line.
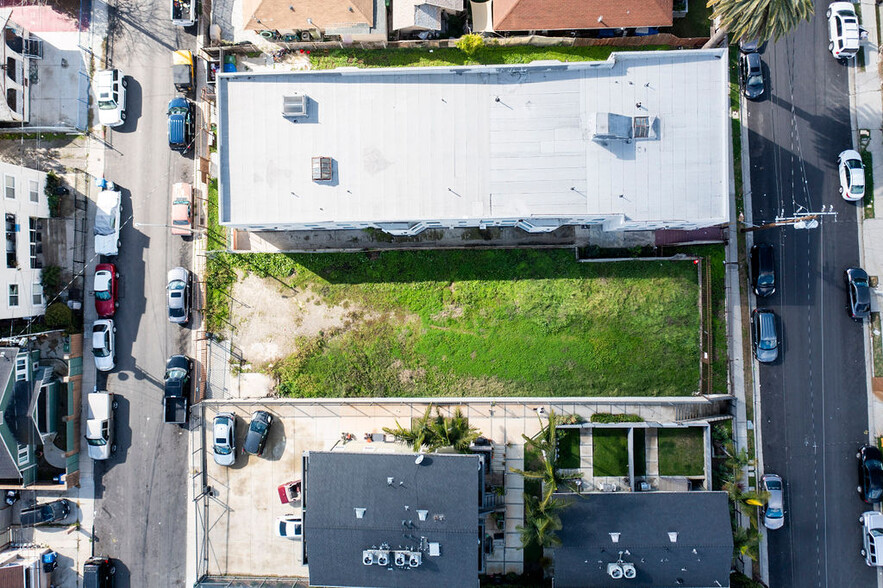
(490, 323)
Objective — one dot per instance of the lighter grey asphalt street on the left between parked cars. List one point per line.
(141, 492)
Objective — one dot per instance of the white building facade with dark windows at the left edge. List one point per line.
(25, 210)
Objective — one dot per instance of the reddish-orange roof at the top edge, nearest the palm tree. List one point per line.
(537, 15)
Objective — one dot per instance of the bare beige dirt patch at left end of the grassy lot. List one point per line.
(270, 318)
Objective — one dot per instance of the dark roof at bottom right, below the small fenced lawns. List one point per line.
(660, 539)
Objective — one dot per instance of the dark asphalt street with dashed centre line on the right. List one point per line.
(814, 398)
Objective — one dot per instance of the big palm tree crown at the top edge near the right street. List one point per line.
(758, 19)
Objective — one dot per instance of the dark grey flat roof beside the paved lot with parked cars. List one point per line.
(392, 520)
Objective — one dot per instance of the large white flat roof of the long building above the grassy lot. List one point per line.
(478, 142)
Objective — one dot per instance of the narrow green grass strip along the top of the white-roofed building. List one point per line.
(451, 56)
